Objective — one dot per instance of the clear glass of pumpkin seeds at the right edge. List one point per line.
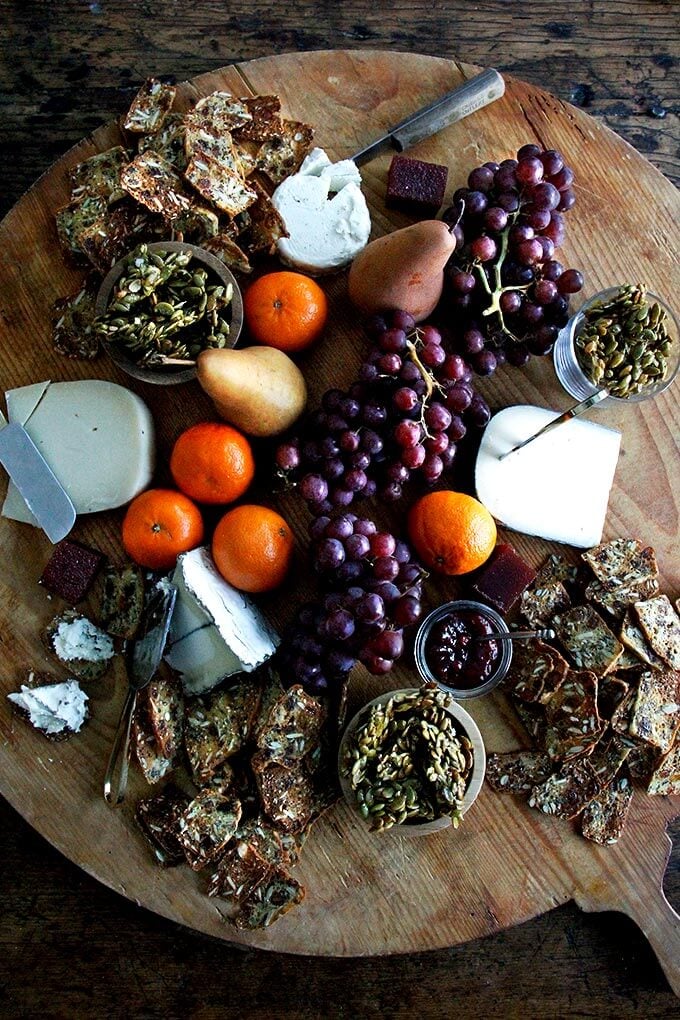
(625, 340)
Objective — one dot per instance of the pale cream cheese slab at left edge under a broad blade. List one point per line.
(97, 437)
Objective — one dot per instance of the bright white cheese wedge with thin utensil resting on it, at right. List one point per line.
(558, 487)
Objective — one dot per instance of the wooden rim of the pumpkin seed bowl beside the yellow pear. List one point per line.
(170, 375)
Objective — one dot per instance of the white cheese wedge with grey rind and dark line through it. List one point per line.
(216, 631)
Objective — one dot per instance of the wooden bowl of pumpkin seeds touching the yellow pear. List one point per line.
(162, 305)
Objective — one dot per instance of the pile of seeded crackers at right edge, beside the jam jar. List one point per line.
(603, 704)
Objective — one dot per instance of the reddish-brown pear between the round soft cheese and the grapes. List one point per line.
(403, 270)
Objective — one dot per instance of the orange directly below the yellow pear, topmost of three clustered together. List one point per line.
(213, 464)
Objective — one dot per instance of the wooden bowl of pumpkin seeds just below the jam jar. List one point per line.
(413, 761)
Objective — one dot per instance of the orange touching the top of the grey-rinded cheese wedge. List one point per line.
(252, 548)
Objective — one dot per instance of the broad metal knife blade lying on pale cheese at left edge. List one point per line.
(37, 483)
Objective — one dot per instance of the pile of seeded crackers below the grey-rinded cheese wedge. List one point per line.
(257, 762)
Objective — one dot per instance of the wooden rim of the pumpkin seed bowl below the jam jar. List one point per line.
(465, 724)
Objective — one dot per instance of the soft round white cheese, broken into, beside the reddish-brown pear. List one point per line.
(326, 233)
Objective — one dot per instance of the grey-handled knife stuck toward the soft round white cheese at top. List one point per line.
(467, 98)
